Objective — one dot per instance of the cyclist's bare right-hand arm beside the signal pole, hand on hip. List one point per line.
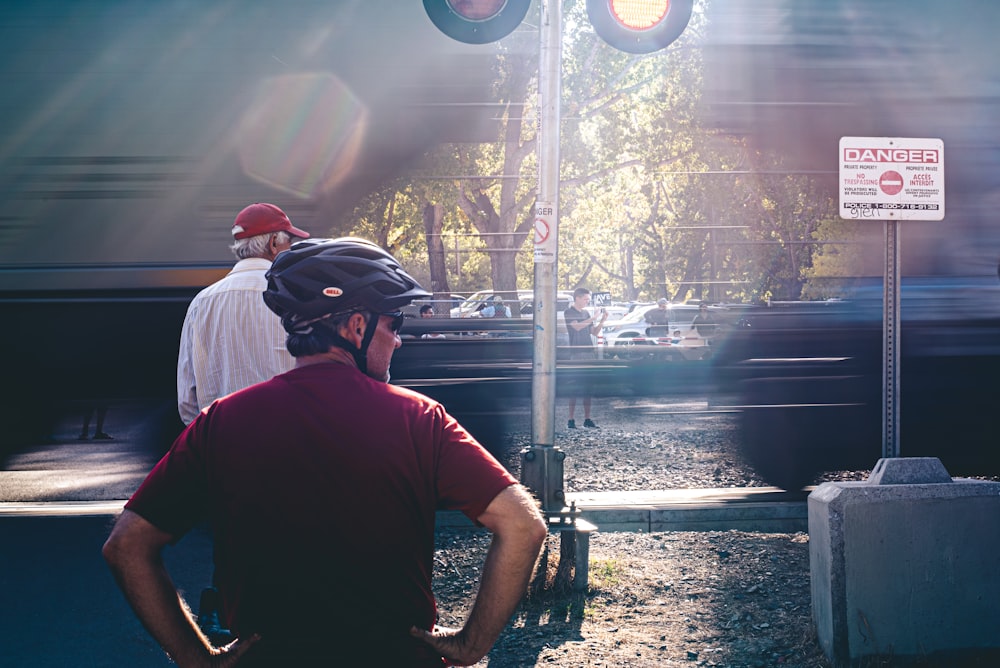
(518, 533)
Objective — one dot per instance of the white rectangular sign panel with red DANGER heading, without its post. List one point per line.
(889, 178)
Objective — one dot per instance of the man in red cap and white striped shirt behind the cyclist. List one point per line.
(231, 339)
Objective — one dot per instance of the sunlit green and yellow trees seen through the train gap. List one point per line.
(652, 202)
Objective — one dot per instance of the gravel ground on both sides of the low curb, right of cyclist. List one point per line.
(709, 598)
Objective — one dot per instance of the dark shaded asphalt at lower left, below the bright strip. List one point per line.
(61, 606)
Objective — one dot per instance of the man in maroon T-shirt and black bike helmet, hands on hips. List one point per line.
(321, 487)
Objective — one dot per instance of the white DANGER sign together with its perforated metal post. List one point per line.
(891, 179)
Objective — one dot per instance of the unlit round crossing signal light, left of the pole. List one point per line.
(476, 21)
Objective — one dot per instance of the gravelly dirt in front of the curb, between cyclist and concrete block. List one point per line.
(664, 599)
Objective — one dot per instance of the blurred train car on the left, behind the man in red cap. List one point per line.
(132, 133)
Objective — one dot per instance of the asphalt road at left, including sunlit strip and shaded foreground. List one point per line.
(60, 606)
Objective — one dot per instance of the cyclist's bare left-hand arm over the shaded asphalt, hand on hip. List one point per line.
(134, 553)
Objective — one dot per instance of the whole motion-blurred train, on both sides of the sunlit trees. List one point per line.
(131, 133)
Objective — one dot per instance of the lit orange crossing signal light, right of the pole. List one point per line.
(639, 26)
